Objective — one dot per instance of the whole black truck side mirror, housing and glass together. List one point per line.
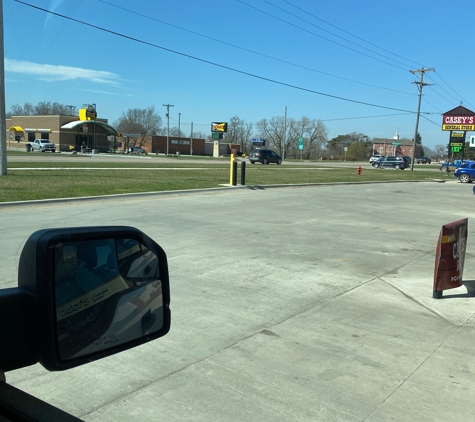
(88, 293)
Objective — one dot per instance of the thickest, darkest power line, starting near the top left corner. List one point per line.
(209, 62)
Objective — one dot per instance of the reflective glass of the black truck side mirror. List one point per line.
(107, 292)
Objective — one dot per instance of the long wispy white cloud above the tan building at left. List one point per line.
(50, 73)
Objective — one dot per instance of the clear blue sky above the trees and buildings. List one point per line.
(248, 58)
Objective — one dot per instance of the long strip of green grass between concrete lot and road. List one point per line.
(46, 180)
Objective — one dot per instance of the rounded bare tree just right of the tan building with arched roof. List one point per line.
(141, 121)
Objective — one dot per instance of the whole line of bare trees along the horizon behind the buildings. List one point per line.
(280, 134)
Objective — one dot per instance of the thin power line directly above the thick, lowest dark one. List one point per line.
(250, 51)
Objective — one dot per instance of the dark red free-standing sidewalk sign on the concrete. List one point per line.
(450, 257)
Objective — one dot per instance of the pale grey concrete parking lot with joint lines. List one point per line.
(303, 304)
